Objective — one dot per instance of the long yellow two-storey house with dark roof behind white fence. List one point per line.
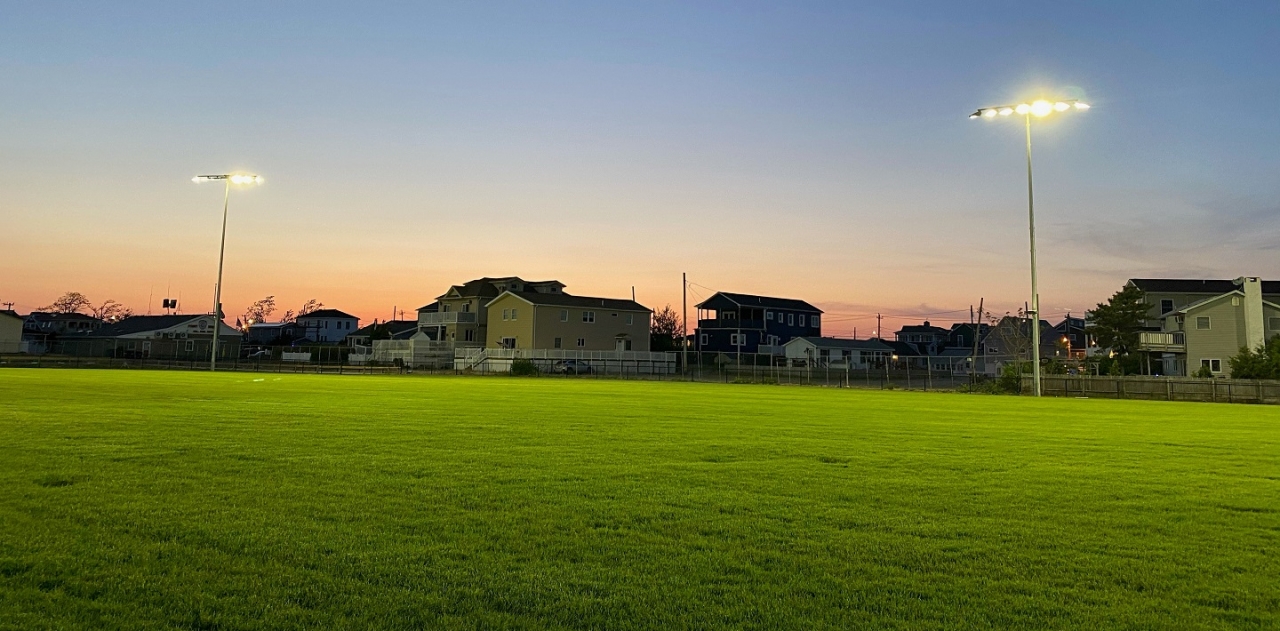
(563, 322)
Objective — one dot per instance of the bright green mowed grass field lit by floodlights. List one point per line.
(135, 500)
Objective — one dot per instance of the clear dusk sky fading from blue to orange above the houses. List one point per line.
(808, 150)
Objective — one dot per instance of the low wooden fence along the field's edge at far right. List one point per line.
(1159, 388)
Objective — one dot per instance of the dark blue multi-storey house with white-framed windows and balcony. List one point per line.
(740, 323)
